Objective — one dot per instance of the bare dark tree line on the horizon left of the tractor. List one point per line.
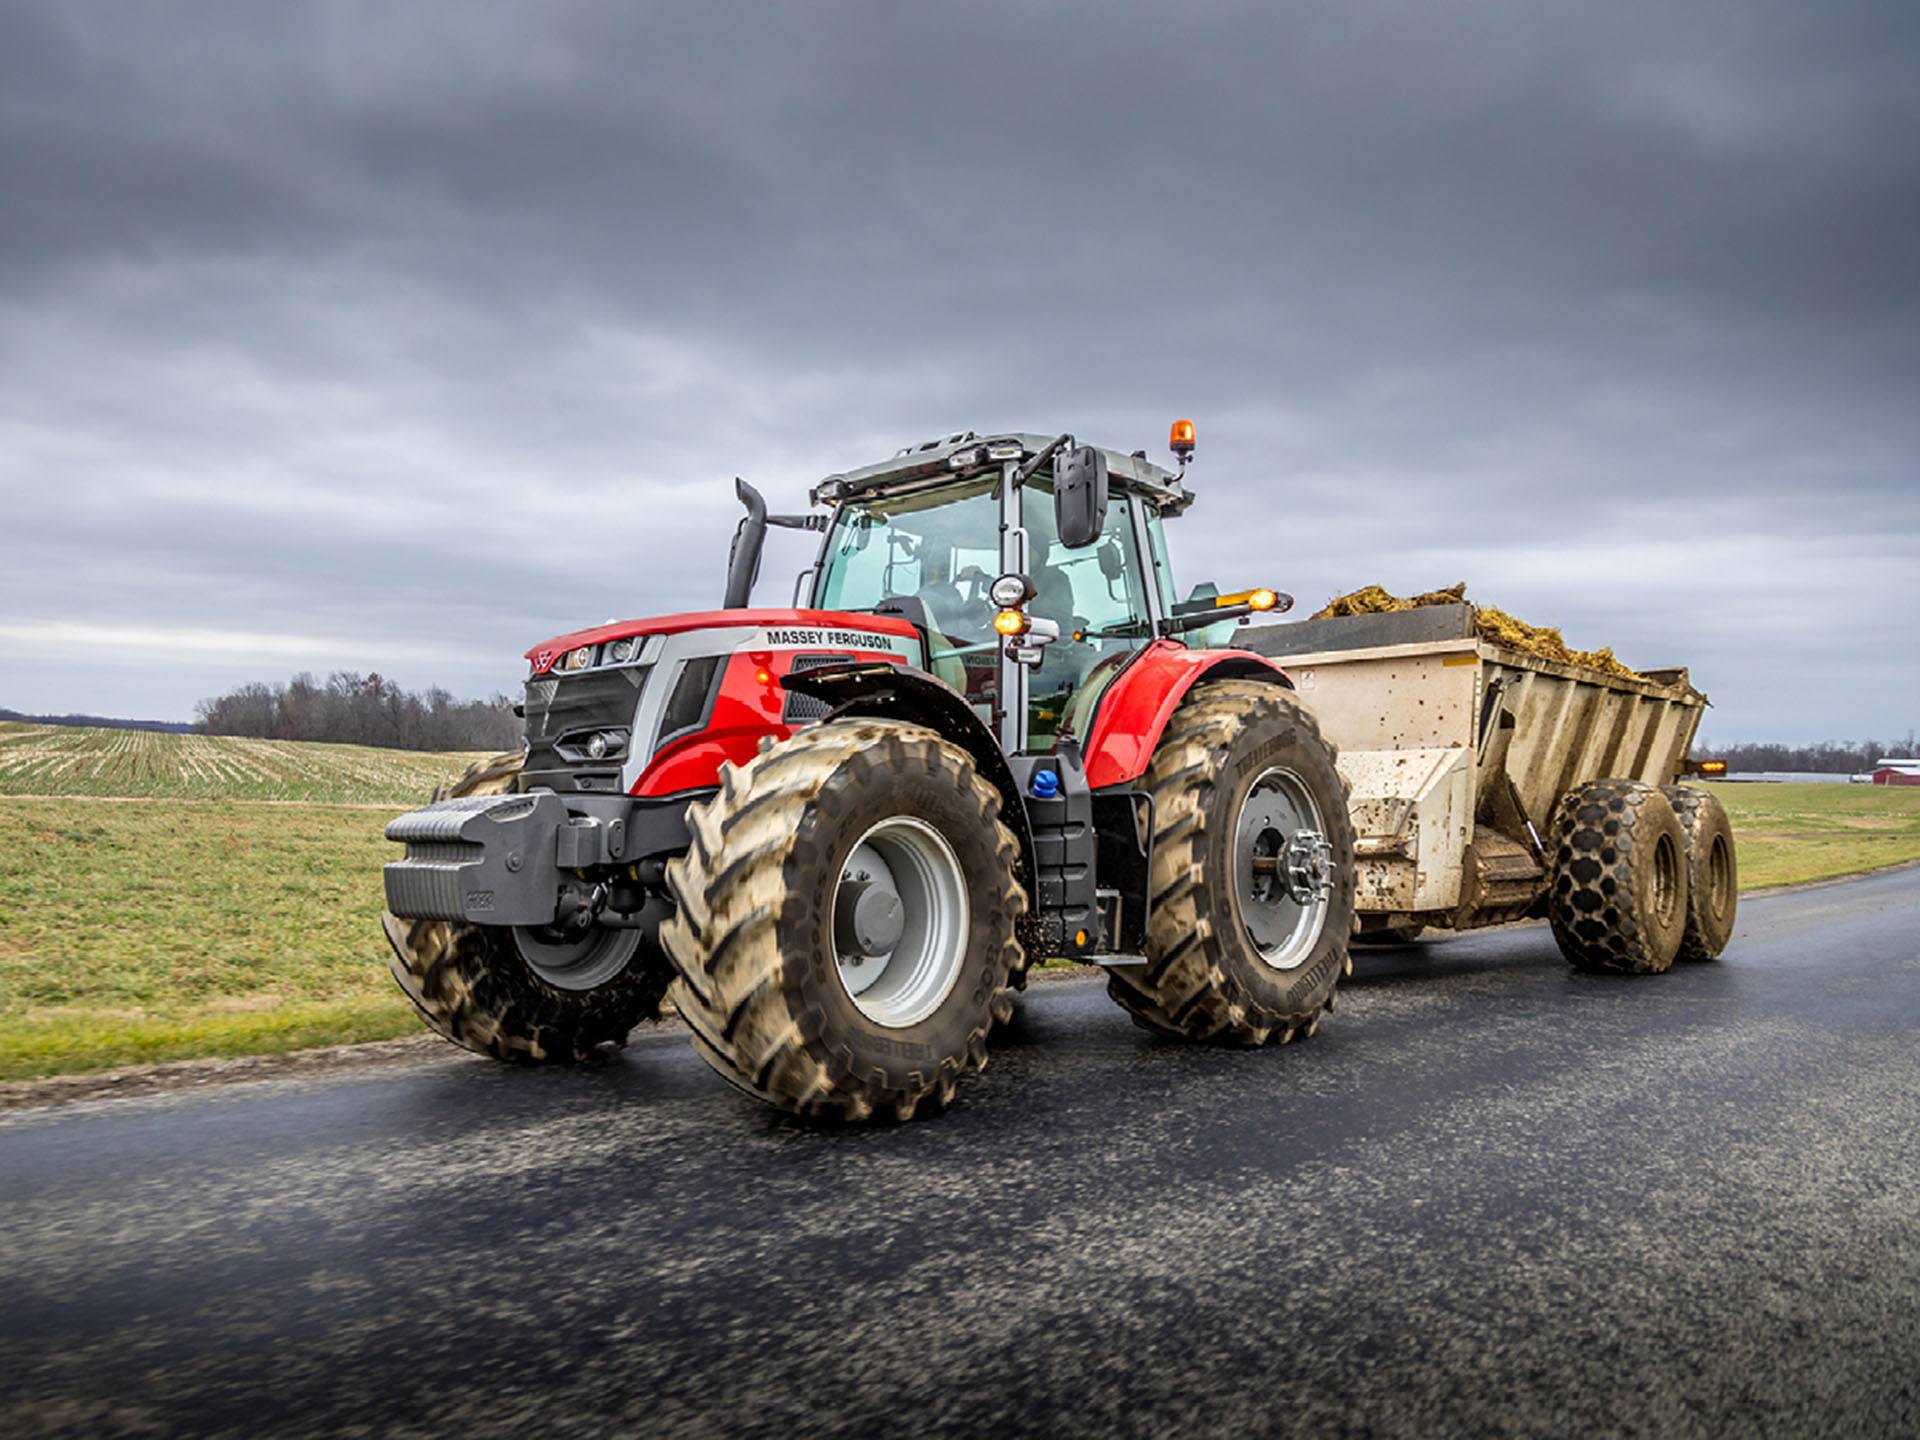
(352, 709)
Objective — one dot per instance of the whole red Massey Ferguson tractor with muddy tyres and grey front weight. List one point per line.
(842, 834)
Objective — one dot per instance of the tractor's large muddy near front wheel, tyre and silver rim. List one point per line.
(846, 923)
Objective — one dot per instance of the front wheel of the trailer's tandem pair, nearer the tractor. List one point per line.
(1620, 892)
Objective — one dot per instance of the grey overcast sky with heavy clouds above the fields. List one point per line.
(404, 337)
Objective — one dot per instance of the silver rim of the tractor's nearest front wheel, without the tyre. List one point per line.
(900, 923)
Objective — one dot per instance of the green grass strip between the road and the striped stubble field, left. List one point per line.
(164, 932)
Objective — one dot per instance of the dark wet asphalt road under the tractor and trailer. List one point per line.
(1491, 1197)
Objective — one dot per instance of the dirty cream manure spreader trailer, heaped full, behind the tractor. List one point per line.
(1493, 784)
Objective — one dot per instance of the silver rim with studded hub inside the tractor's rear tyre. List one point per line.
(1284, 869)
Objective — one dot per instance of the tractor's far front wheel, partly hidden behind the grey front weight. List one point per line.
(525, 997)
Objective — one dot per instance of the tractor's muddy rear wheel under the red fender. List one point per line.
(1253, 875)
